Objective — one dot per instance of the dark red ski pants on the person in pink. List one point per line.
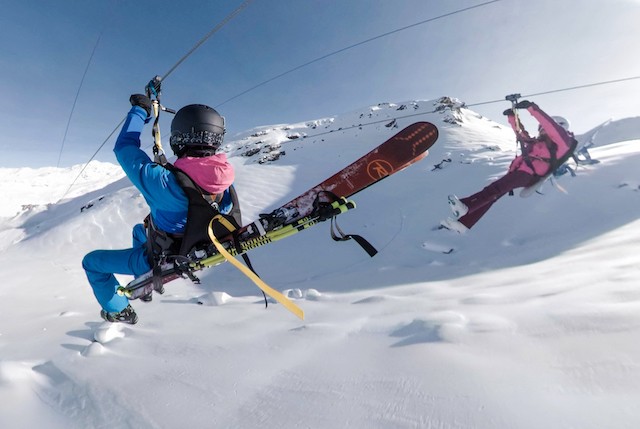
(482, 201)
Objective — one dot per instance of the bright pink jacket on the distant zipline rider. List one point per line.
(536, 156)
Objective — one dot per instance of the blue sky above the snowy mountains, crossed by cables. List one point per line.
(477, 56)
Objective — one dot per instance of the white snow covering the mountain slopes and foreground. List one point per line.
(531, 320)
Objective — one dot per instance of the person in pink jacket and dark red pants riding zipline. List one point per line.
(538, 158)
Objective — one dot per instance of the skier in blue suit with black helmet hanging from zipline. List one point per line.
(197, 132)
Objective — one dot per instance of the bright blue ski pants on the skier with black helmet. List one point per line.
(101, 265)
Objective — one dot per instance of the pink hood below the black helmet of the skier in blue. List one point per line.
(213, 173)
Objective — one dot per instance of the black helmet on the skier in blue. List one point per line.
(196, 130)
